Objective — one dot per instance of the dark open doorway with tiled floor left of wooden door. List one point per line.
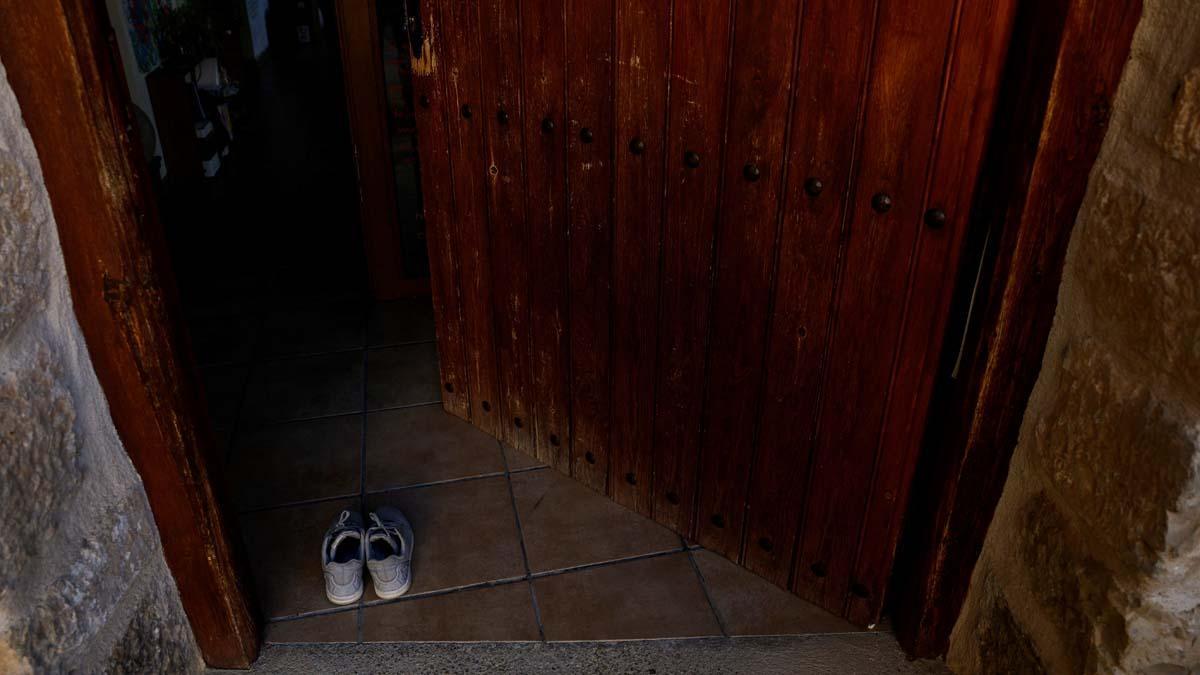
(309, 315)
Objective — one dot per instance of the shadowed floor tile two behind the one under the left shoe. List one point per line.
(305, 387)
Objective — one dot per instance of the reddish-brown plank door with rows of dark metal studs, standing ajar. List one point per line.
(699, 254)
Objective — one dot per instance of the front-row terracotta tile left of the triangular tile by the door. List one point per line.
(658, 598)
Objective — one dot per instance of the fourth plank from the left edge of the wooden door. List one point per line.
(544, 52)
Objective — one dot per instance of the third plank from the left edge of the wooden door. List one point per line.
(502, 117)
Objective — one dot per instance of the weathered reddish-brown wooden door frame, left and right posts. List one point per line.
(62, 64)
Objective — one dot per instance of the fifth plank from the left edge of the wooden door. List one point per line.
(590, 43)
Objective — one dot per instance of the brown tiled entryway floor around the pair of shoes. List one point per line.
(335, 405)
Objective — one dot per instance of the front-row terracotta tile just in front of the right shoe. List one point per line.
(496, 614)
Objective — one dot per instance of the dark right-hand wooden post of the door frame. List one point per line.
(1064, 69)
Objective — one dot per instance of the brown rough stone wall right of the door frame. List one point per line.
(1093, 564)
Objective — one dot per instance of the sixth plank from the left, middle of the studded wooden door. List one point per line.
(644, 43)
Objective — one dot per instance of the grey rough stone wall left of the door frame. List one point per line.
(83, 583)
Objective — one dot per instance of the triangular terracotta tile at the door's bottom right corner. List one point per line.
(752, 606)
